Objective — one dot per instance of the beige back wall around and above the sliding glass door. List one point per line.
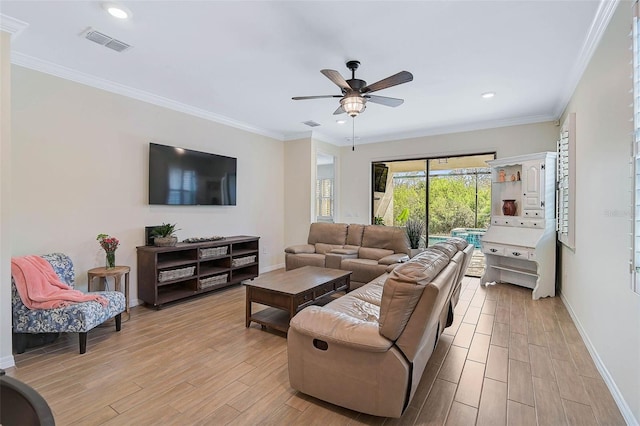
(355, 197)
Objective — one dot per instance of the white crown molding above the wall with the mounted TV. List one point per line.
(30, 62)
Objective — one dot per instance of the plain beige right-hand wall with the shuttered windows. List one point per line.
(595, 278)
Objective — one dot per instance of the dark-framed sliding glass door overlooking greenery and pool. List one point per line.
(451, 195)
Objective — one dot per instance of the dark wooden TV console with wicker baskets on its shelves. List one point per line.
(167, 274)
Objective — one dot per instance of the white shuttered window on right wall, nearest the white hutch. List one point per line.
(566, 183)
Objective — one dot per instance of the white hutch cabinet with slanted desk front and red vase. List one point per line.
(519, 248)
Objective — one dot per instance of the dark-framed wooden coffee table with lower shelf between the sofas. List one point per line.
(291, 291)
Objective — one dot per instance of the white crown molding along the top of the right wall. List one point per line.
(605, 11)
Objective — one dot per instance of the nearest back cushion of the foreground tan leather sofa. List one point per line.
(403, 289)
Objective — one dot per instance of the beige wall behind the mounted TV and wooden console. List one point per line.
(80, 168)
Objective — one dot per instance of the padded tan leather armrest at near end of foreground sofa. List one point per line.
(336, 327)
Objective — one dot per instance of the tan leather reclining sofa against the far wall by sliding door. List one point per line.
(366, 250)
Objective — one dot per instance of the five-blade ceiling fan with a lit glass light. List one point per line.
(356, 93)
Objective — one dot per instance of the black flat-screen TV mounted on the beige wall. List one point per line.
(179, 176)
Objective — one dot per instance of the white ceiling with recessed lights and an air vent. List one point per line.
(240, 62)
